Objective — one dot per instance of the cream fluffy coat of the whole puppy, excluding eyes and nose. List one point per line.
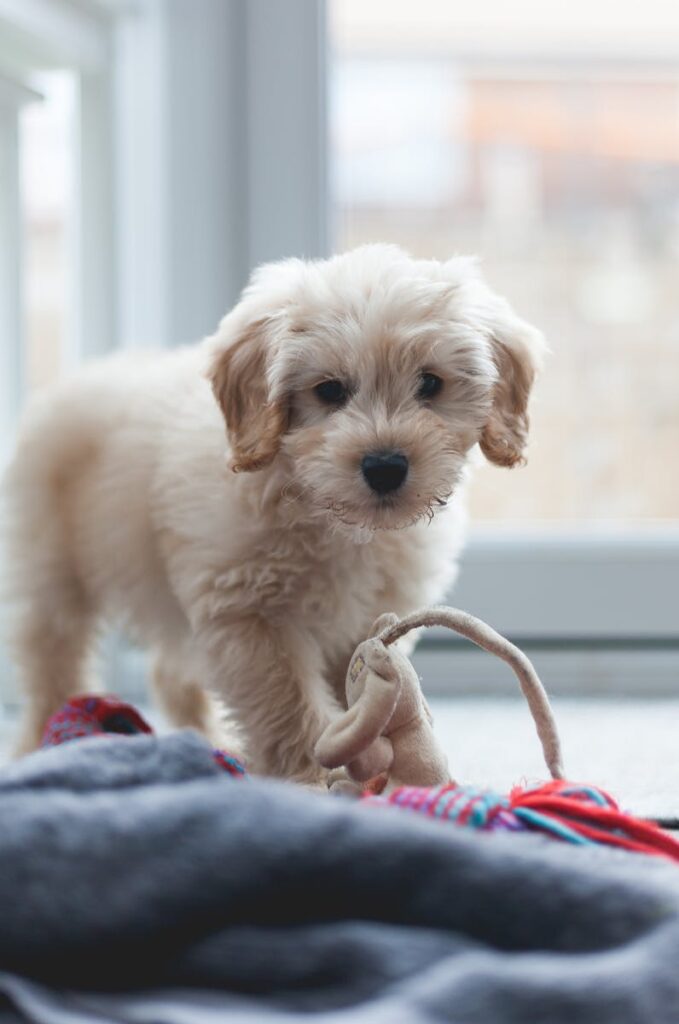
(252, 560)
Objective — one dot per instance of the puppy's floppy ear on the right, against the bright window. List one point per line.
(517, 350)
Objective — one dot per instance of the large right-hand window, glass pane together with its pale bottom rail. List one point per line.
(548, 144)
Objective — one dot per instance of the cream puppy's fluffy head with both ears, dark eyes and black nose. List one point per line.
(372, 375)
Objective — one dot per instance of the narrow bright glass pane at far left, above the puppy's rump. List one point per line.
(47, 149)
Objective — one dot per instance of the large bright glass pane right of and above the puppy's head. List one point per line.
(563, 174)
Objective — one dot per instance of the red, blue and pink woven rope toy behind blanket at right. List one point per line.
(568, 812)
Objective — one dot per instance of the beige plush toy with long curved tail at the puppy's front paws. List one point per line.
(388, 729)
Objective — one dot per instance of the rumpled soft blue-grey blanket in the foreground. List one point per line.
(139, 877)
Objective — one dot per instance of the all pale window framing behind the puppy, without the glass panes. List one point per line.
(203, 151)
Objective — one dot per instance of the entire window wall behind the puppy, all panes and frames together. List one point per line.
(190, 142)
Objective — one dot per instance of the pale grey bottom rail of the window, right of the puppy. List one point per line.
(598, 610)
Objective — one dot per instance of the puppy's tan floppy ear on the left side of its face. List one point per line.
(239, 377)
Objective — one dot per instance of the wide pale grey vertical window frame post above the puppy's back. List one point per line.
(222, 157)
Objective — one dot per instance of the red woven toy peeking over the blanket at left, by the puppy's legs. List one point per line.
(96, 716)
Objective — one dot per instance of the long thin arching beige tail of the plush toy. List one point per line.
(486, 637)
